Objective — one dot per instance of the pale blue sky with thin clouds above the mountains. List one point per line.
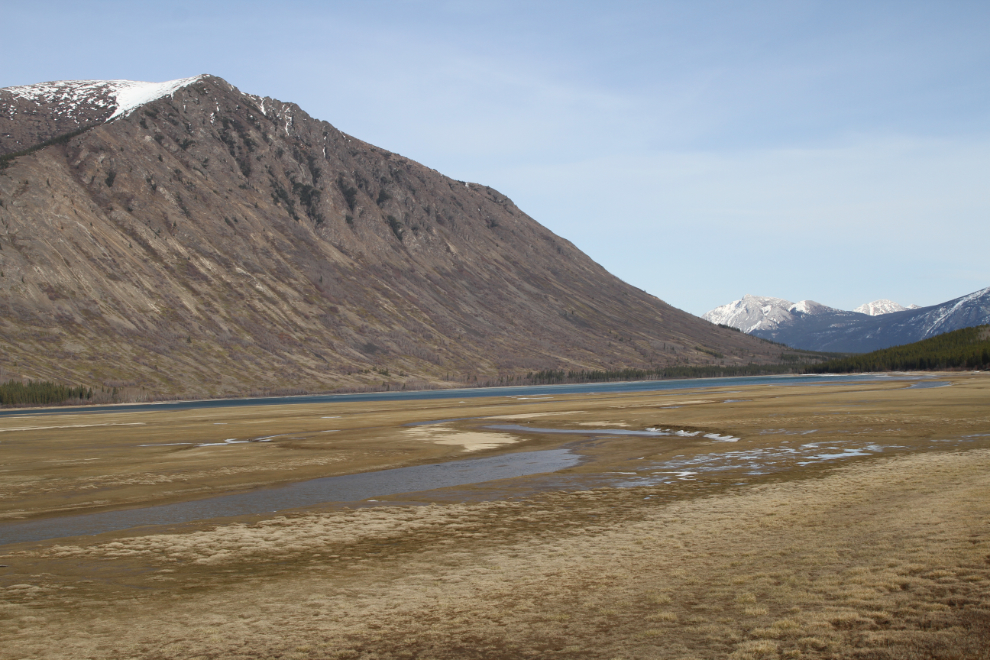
(700, 150)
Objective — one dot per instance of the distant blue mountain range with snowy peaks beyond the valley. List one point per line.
(880, 324)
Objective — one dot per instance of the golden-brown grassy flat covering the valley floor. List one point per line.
(878, 549)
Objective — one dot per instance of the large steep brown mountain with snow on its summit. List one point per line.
(193, 240)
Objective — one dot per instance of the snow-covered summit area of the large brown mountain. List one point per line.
(124, 96)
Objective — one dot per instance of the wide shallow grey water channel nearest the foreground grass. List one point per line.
(345, 488)
